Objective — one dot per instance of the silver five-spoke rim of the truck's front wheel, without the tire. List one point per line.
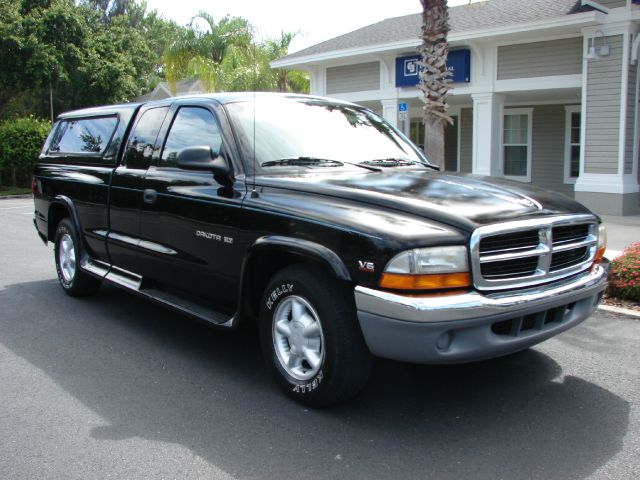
(297, 338)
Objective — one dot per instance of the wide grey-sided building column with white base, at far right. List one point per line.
(608, 181)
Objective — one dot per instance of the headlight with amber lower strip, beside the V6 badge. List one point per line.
(428, 268)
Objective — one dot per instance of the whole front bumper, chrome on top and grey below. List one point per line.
(472, 326)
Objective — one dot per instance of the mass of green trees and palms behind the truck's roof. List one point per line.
(95, 52)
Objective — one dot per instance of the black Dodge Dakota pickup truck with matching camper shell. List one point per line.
(321, 223)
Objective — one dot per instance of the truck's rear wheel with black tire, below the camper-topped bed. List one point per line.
(72, 279)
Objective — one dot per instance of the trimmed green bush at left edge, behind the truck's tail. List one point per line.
(20, 142)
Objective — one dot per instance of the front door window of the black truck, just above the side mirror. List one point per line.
(192, 127)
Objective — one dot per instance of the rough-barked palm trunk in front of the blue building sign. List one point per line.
(434, 81)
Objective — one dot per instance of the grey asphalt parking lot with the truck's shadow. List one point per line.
(113, 387)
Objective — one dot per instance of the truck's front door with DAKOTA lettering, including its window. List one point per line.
(189, 220)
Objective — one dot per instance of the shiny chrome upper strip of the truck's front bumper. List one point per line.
(476, 305)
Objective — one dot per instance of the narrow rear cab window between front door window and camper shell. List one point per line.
(142, 141)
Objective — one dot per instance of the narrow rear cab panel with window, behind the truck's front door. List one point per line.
(126, 195)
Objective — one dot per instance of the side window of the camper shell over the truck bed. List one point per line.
(84, 135)
